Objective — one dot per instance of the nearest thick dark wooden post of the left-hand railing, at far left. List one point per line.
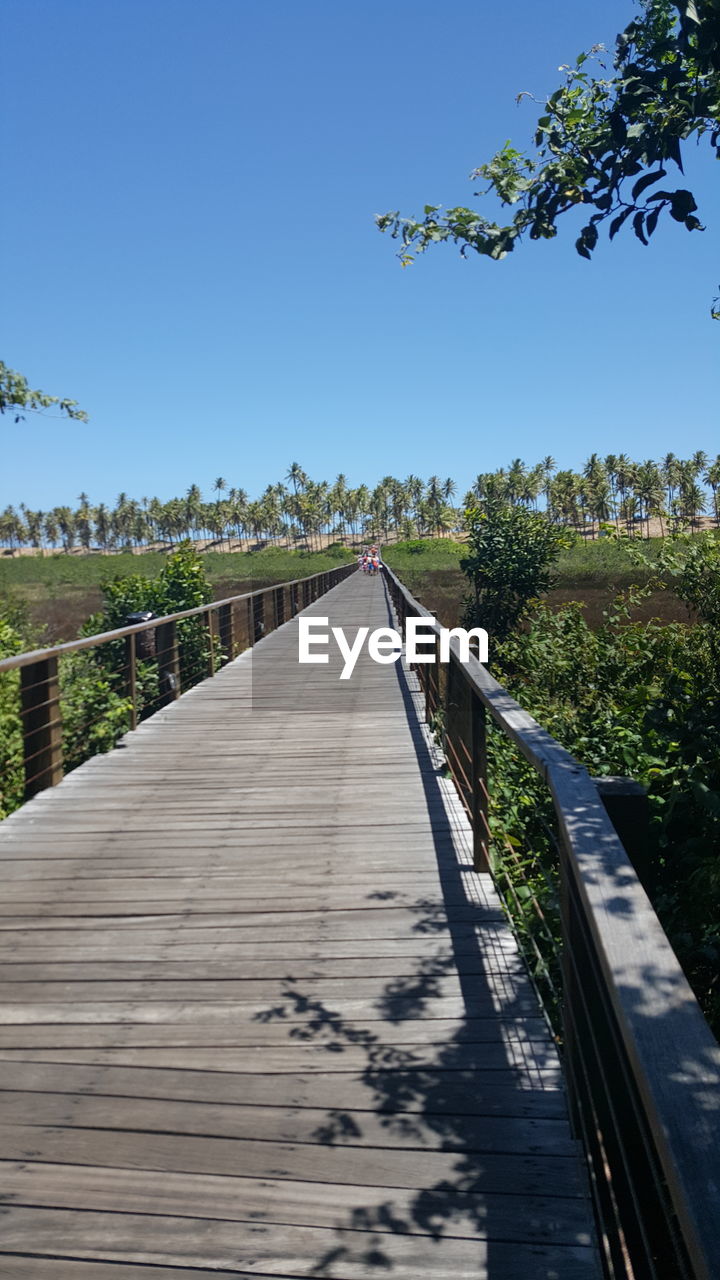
(43, 730)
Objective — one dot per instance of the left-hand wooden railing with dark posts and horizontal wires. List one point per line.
(142, 669)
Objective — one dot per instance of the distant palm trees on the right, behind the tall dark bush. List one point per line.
(610, 491)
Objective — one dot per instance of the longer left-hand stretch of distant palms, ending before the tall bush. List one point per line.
(299, 511)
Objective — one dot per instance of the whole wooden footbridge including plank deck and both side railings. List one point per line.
(263, 1013)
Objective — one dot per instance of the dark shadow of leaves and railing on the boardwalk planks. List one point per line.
(516, 1174)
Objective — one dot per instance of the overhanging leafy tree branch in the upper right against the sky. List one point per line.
(603, 143)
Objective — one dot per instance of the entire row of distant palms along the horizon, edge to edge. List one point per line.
(304, 513)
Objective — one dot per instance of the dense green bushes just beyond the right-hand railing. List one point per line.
(640, 701)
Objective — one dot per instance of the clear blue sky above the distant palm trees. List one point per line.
(189, 252)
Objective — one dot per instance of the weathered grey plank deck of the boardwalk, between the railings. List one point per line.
(261, 1017)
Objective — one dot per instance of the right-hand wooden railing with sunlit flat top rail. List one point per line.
(641, 1064)
